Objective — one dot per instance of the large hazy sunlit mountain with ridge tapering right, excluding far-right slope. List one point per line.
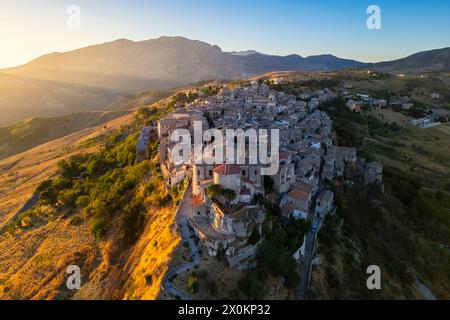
(125, 65)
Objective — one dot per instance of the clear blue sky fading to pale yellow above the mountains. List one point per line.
(29, 29)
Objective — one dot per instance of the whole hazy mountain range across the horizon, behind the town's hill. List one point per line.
(91, 78)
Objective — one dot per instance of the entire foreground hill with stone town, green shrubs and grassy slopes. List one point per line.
(226, 231)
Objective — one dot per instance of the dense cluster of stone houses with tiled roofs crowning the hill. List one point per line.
(224, 209)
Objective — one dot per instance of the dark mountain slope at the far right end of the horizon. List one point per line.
(437, 60)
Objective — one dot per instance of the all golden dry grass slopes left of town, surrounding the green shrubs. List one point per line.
(34, 259)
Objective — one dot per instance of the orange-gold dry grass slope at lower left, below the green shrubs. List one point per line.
(33, 265)
